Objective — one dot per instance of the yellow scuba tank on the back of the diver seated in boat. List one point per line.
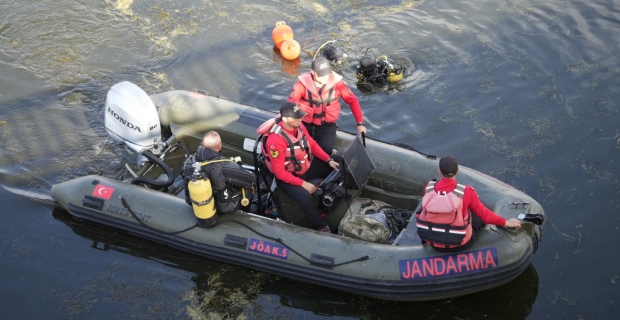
(201, 194)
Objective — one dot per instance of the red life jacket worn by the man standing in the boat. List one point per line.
(324, 107)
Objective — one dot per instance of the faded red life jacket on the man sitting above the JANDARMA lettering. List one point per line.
(441, 223)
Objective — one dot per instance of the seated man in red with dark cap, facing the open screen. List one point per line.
(289, 150)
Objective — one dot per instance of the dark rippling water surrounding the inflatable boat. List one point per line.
(526, 91)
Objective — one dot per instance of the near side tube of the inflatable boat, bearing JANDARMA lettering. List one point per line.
(377, 277)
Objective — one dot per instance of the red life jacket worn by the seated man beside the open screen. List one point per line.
(298, 155)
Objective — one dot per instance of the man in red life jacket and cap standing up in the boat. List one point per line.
(317, 94)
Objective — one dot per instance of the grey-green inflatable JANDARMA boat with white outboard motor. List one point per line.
(158, 132)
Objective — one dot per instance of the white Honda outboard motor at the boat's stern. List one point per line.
(131, 119)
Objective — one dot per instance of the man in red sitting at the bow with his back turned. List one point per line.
(438, 231)
